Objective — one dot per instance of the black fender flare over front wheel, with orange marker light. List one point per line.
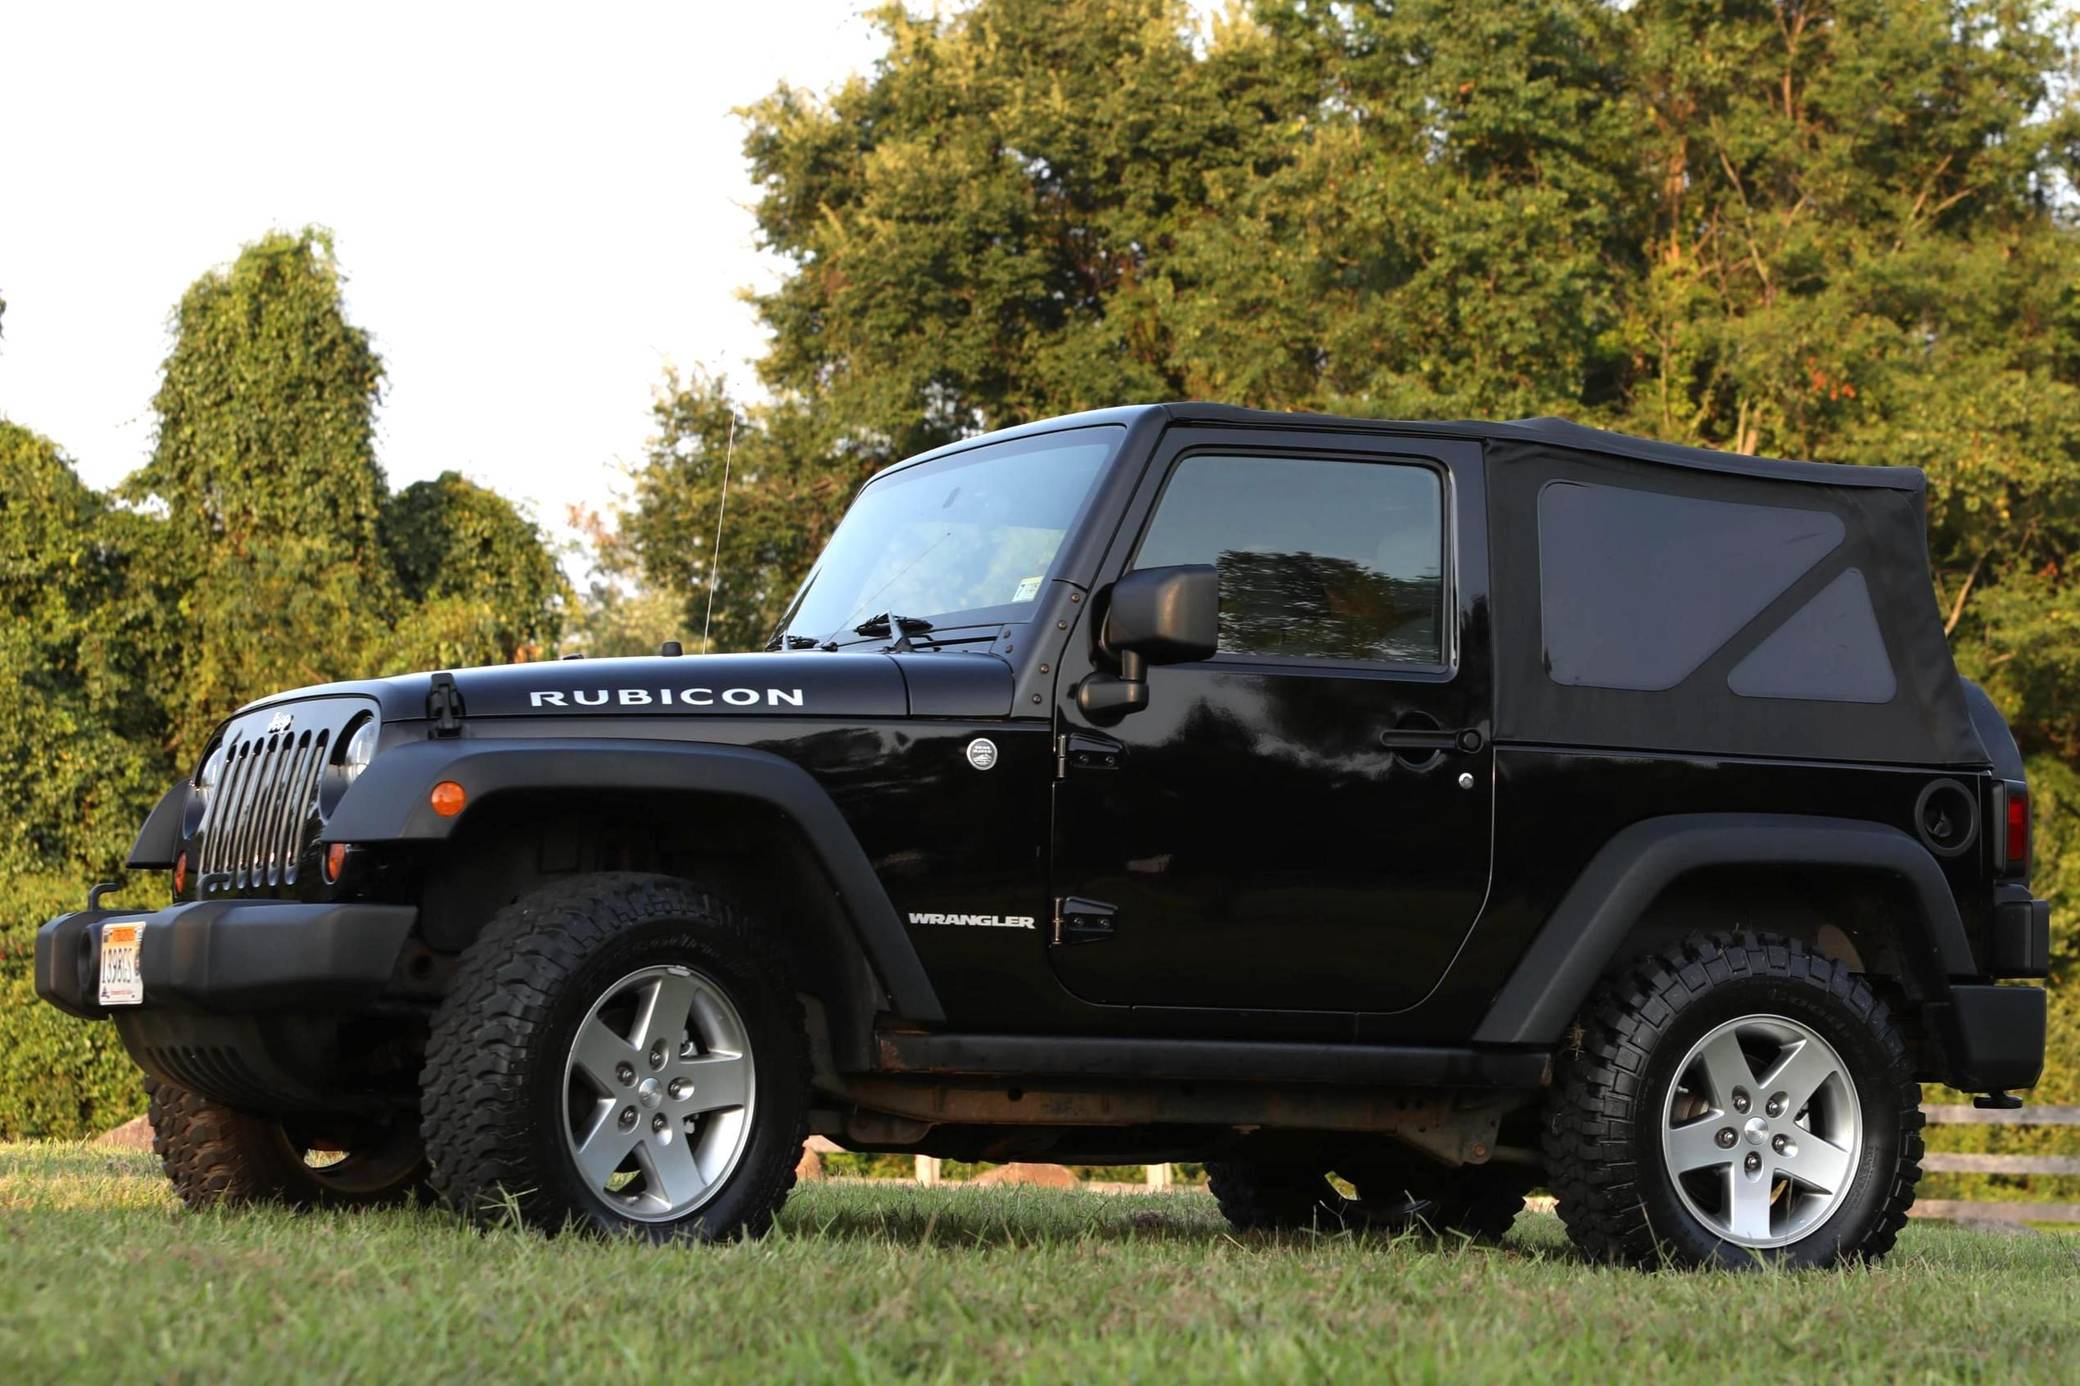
(390, 804)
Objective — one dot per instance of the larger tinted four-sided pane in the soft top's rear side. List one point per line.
(1638, 588)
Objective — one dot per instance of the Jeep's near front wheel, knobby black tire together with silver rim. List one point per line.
(619, 1054)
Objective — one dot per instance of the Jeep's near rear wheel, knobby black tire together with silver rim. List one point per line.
(1744, 1100)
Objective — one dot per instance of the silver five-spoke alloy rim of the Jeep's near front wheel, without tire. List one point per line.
(658, 1094)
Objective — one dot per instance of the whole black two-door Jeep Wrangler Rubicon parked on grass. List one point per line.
(1395, 817)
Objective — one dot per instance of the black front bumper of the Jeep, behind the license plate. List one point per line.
(232, 956)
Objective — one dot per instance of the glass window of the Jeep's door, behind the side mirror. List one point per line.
(1326, 561)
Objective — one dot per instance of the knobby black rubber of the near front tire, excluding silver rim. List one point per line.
(494, 1085)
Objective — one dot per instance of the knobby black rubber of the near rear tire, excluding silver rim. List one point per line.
(1603, 1125)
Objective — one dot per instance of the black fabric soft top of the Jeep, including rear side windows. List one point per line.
(1663, 598)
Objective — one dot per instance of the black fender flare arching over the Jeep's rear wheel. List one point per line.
(1582, 935)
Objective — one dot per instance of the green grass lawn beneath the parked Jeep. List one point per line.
(103, 1277)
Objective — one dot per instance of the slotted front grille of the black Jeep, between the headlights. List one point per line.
(263, 815)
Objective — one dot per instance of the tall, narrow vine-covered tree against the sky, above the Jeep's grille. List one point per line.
(265, 467)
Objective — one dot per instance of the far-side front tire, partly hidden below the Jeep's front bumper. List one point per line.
(217, 1156)
